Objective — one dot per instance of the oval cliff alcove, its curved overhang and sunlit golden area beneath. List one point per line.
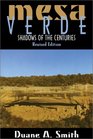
(43, 108)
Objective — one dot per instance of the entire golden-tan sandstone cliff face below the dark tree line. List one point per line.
(45, 103)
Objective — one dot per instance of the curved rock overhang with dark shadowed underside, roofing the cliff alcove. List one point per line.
(44, 101)
